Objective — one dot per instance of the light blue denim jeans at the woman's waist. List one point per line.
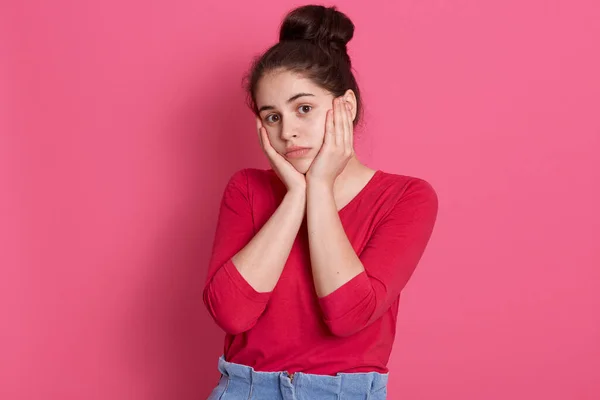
(243, 382)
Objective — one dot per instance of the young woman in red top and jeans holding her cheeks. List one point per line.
(309, 257)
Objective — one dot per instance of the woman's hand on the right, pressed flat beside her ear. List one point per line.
(338, 146)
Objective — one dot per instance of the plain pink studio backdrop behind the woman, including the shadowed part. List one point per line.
(122, 121)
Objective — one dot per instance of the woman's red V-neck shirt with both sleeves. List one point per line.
(388, 223)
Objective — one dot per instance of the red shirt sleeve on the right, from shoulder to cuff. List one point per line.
(389, 259)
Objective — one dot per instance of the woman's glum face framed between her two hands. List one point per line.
(292, 110)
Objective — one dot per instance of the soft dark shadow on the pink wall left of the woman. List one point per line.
(208, 137)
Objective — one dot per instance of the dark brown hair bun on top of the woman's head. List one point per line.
(322, 25)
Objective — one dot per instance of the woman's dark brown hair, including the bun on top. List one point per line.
(312, 42)
